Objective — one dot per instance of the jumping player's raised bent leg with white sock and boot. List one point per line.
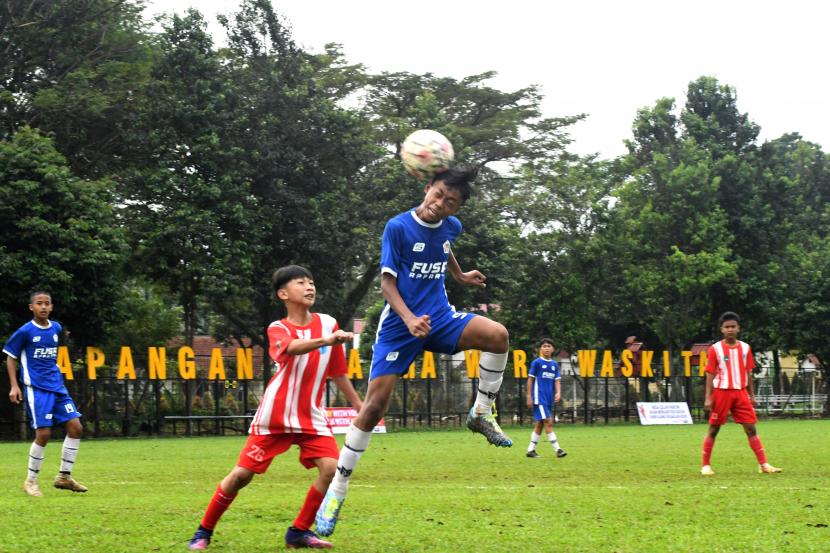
(493, 340)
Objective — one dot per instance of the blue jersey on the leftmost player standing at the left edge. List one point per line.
(37, 349)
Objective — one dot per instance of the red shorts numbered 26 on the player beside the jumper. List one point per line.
(259, 451)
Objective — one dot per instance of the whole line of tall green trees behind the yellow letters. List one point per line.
(152, 179)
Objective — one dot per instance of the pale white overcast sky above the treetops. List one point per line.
(603, 58)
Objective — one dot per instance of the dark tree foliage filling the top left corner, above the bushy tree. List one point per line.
(73, 69)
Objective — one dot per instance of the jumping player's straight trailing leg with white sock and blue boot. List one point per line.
(374, 407)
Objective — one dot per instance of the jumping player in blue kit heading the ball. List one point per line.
(416, 254)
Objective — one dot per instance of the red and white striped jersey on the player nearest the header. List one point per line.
(291, 402)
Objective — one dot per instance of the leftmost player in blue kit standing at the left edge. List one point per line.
(35, 347)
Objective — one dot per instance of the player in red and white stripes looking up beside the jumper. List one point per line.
(306, 349)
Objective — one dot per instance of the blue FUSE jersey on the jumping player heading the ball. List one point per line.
(416, 253)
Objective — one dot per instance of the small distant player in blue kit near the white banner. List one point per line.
(543, 391)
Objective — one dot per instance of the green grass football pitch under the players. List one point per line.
(621, 488)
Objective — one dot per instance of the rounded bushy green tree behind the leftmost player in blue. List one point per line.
(57, 232)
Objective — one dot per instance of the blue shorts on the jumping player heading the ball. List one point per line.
(396, 349)
